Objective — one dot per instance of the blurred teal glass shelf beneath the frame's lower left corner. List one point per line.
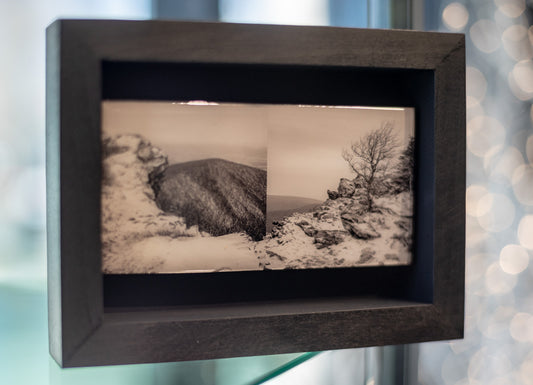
(24, 345)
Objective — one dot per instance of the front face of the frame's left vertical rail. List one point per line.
(82, 287)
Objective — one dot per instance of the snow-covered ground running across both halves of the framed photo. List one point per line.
(138, 237)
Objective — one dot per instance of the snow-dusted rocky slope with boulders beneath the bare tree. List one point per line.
(343, 232)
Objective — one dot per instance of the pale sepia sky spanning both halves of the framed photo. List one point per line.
(304, 143)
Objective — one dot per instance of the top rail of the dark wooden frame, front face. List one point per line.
(263, 43)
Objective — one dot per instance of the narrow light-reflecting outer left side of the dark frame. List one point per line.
(53, 185)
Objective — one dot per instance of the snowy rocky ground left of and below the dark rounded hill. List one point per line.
(138, 237)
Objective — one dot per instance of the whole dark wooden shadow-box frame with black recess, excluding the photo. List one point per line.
(106, 320)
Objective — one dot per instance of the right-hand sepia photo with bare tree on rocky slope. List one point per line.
(340, 186)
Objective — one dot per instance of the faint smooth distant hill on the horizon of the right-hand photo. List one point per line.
(280, 206)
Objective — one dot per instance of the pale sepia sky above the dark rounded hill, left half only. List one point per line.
(192, 132)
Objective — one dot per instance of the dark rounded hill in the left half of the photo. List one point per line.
(219, 196)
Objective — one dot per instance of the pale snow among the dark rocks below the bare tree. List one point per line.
(296, 250)
